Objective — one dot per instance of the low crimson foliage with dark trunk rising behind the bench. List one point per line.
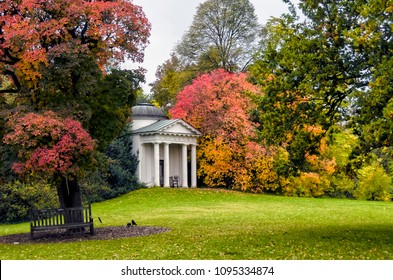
(52, 147)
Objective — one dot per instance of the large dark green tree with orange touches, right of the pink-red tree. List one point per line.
(309, 68)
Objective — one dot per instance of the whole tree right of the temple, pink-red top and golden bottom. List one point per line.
(219, 105)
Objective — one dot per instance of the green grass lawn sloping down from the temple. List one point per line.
(210, 224)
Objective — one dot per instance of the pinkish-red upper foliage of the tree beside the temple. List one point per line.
(218, 104)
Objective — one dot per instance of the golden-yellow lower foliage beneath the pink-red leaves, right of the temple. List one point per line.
(247, 168)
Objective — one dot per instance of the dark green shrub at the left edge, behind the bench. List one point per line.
(16, 199)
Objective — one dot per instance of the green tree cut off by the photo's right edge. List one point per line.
(373, 120)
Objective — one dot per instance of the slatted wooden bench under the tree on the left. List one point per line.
(69, 218)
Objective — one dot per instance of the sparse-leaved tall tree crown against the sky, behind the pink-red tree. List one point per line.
(223, 34)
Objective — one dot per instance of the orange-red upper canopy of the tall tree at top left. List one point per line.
(32, 31)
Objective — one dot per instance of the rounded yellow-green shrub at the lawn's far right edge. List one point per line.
(374, 183)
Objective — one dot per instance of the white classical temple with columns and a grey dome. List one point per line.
(166, 148)
